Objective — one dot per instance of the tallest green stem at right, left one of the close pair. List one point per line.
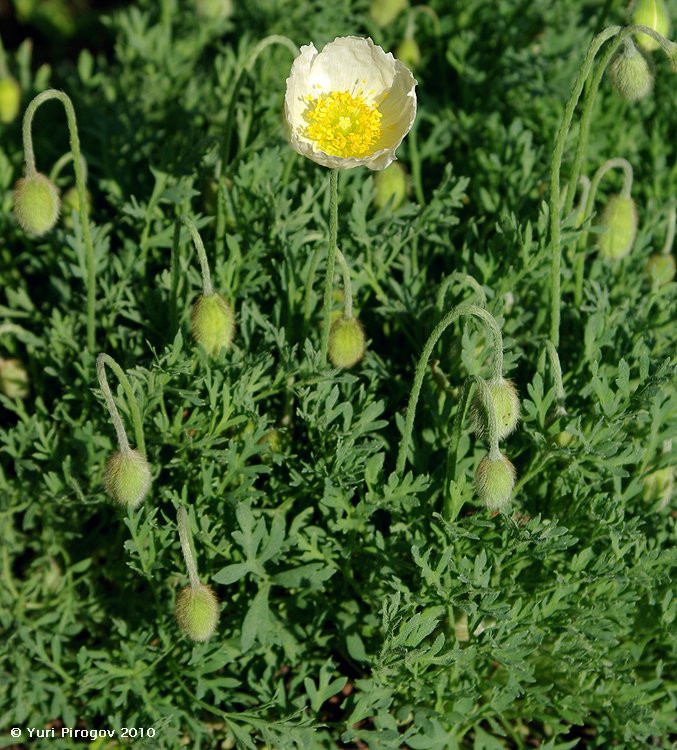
(555, 168)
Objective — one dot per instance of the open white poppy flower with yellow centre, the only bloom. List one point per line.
(349, 105)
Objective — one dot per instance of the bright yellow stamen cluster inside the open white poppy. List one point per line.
(342, 124)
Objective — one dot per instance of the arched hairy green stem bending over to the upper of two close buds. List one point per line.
(439, 329)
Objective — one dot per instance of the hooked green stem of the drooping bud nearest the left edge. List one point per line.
(80, 183)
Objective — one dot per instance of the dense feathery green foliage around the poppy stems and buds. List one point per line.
(353, 607)
